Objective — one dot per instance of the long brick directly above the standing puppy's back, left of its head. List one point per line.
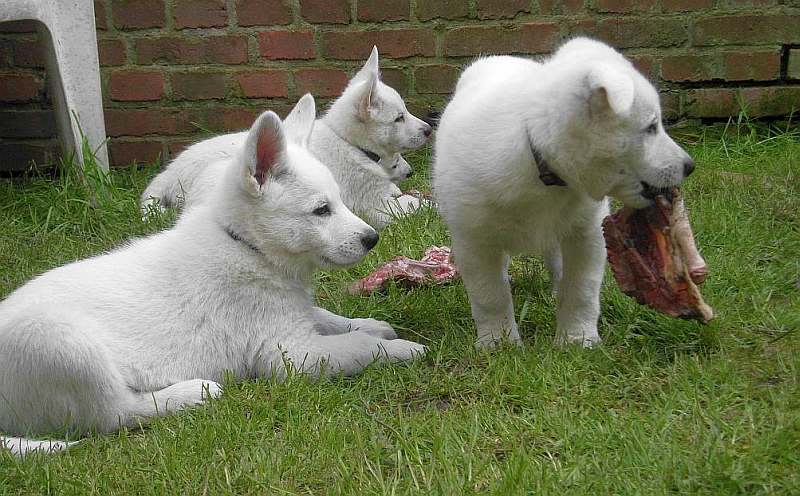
(474, 40)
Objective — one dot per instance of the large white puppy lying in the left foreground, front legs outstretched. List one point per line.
(151, 327)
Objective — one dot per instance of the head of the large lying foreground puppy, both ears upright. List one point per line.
(288, 202)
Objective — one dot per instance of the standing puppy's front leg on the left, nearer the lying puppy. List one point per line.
(485, 274)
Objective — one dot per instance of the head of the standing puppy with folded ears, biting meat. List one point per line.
(619, 128)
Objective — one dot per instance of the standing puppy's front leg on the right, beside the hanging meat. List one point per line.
(579, 289)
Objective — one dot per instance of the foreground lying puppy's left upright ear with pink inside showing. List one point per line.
(265, 149)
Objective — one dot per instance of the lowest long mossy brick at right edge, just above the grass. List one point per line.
(758, 102)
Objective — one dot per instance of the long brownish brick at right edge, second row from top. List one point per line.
(747, 29)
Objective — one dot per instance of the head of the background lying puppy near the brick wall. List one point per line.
(385, 126)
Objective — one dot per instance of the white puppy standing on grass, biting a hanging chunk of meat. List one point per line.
(525, 156)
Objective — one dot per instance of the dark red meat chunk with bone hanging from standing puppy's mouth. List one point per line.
(654, 259)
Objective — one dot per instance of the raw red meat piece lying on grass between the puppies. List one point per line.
(435, 267)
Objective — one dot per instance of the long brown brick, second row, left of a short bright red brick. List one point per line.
(192, 50)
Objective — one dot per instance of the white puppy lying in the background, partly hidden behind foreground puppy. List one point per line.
(367, 124)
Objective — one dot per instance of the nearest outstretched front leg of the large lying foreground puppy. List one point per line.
(350, 353)
